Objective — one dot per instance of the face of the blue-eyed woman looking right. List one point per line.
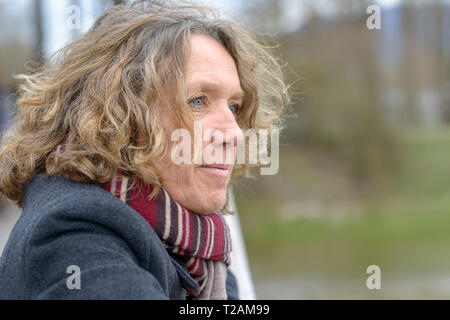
(214, 92)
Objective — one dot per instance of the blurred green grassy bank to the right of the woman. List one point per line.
(311, 217)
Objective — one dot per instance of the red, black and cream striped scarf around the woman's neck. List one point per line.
(203, 241)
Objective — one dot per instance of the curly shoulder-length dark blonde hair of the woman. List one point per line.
(103, 94)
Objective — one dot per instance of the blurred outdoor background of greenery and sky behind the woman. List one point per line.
(364, 173)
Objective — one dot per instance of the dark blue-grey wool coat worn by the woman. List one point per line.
(66, 223)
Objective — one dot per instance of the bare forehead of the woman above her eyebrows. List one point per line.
(209, 61)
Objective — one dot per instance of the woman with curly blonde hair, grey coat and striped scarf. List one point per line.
(106, 212)
